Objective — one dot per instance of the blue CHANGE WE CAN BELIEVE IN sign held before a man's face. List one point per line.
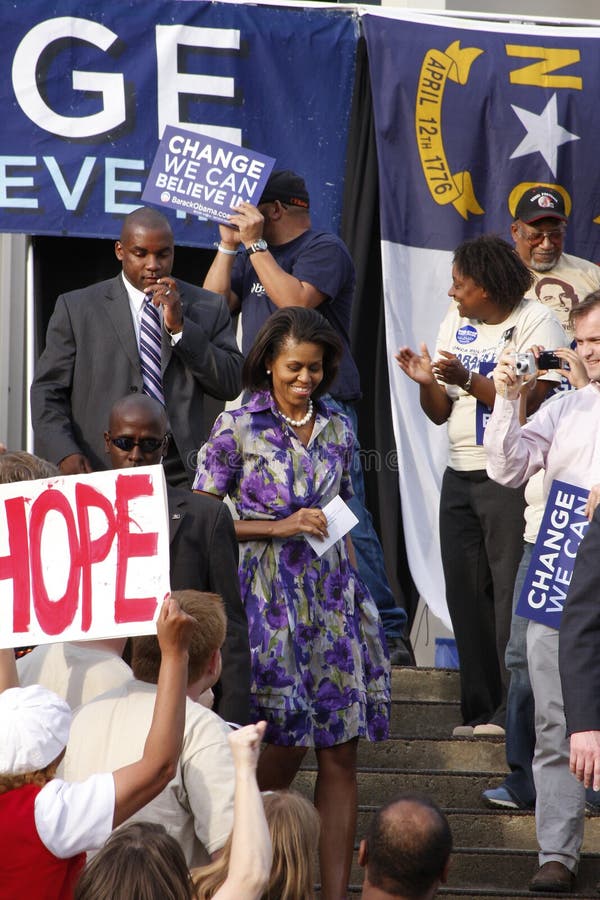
(204, 176)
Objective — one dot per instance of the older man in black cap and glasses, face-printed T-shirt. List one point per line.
(539, 232)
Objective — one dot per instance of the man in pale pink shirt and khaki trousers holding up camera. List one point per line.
(557, 439)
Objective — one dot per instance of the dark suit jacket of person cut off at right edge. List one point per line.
(579, 637)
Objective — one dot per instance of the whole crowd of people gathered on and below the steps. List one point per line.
(276, 638)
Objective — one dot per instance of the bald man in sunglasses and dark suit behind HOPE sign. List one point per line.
(203, 548)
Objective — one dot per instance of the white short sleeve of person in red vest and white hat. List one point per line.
(74, 817)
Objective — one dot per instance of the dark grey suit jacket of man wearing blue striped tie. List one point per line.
(91, 360)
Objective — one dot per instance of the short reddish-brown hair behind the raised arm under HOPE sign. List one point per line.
(208, 635)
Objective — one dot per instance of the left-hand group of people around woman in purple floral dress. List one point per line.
(266, 643)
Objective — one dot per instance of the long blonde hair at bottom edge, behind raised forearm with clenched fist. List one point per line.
(294, 826)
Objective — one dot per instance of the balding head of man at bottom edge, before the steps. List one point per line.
(408, 844)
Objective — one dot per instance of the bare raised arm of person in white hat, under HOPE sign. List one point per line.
(140, 782)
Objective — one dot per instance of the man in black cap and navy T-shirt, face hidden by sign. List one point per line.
(288, 263)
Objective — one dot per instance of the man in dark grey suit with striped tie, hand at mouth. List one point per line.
(93, 354)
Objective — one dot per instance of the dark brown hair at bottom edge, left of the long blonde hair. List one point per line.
(138, 860)
